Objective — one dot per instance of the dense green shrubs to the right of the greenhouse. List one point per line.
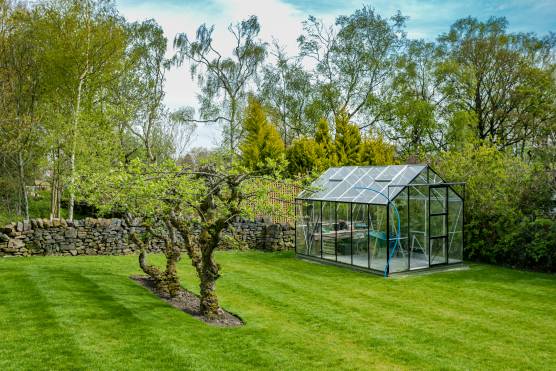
(508, 205)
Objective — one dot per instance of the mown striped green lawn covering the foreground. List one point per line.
(85, 313)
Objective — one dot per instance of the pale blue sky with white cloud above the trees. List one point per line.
(282, 20)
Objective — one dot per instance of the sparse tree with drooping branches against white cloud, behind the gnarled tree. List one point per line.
(223, 79)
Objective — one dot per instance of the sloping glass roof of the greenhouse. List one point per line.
(352, 183)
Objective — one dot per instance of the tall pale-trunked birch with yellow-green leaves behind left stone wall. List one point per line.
(84, 43)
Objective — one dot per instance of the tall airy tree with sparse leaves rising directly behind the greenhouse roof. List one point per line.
(355, 60)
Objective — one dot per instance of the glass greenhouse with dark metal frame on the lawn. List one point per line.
(383, 219)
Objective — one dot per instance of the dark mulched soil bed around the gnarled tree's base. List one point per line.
(190, 303)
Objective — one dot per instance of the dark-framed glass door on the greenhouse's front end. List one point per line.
(438, 224)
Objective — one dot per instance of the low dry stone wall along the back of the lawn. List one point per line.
(112, 237)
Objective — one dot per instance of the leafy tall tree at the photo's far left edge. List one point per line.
(20, 80)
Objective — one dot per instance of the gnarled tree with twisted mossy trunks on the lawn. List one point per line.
(187, 209)
